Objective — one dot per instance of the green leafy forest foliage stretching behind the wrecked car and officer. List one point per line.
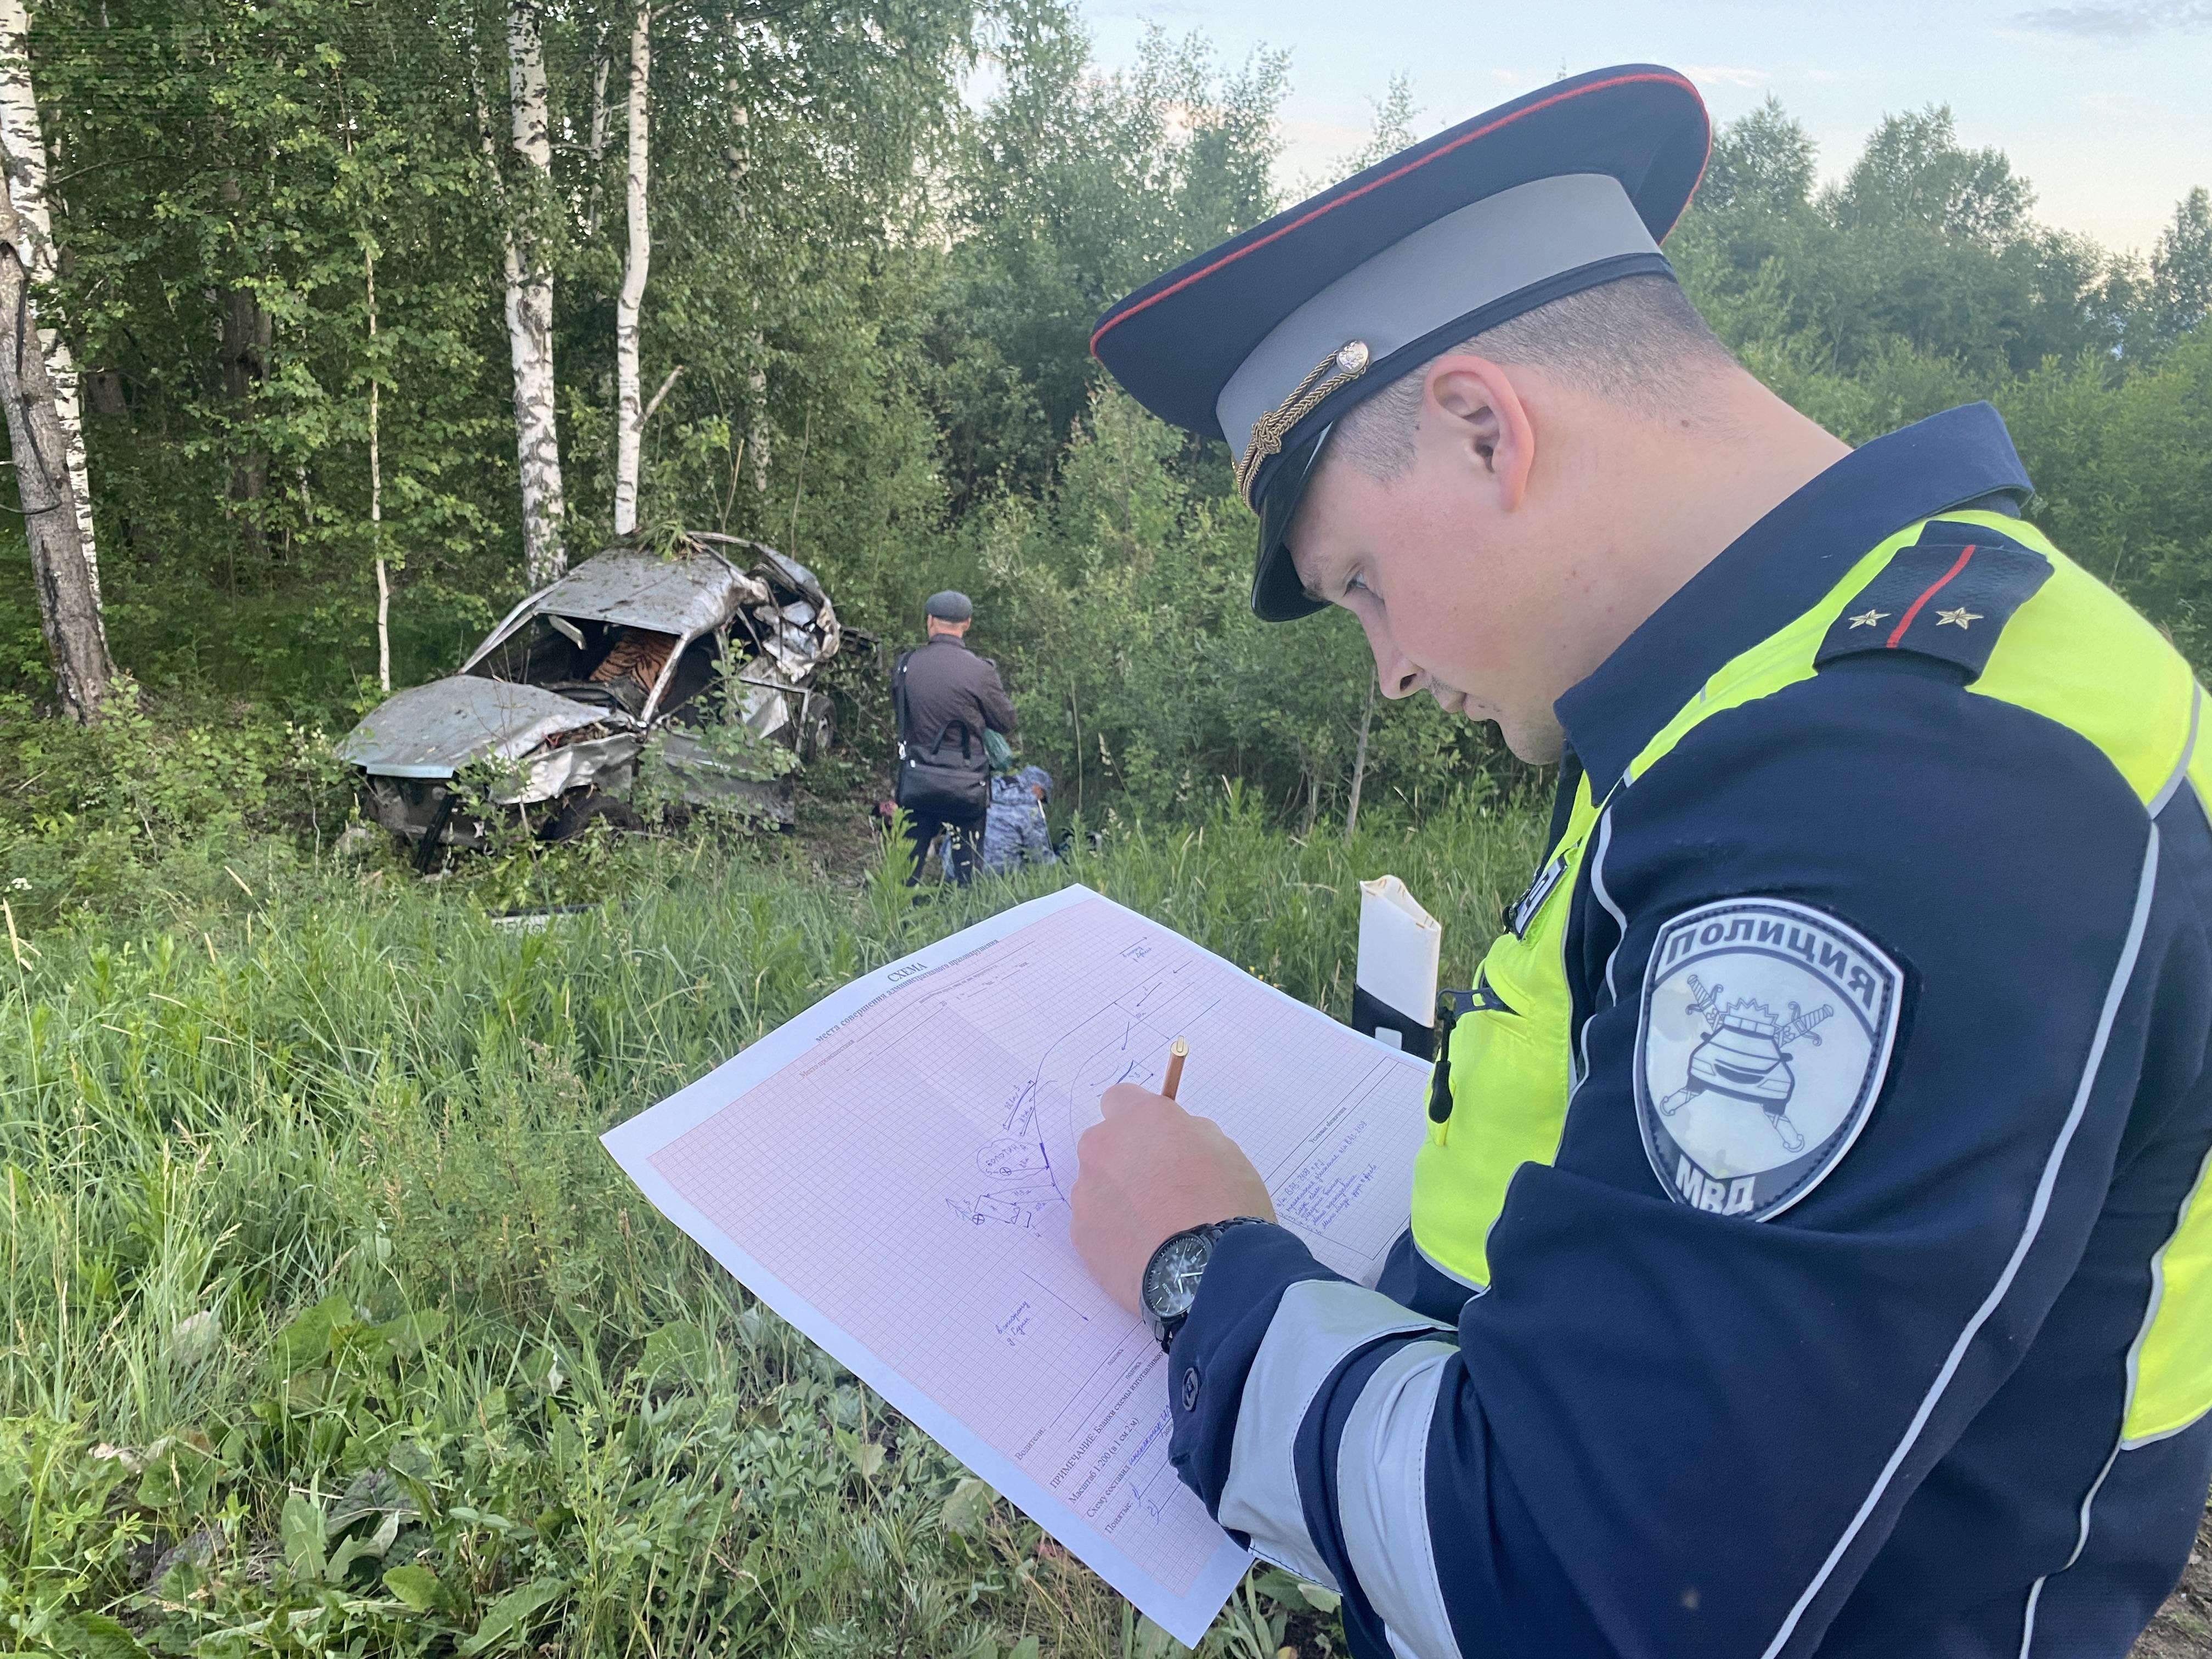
(881, 298)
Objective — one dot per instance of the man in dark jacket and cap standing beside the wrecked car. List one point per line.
(948, 698)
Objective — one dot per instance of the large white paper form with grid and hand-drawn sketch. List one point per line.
(890, 1173)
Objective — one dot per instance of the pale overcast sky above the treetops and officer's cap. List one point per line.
(2105, 105)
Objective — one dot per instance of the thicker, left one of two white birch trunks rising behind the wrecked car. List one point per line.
(530, 302)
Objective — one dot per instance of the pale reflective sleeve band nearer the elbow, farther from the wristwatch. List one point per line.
(1384, 1499)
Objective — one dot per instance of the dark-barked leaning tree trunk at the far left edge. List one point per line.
(67, 607)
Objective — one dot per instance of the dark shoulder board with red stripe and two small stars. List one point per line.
(1948, 596)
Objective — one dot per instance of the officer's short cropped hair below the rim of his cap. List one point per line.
(1627, 342)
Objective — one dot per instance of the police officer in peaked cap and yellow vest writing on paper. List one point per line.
(1808, 1249)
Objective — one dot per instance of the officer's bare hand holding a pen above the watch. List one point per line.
(1149, 1171)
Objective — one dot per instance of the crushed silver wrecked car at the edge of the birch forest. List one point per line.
(634, 658)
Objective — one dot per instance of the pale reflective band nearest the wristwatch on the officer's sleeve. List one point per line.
(1319, 1326)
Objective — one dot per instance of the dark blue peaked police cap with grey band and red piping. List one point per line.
(1269, 340)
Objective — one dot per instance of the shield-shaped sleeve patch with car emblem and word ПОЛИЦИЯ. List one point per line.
(1764, 1039)
